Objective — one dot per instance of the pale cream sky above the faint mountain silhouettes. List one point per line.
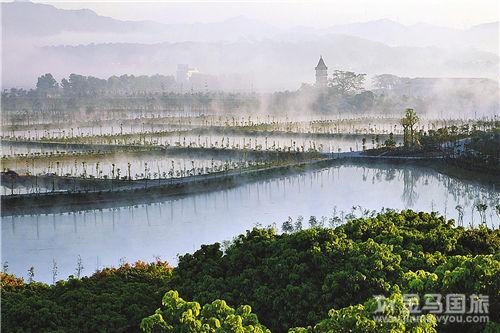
(454, 13)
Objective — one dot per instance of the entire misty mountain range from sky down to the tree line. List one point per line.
(39, 38)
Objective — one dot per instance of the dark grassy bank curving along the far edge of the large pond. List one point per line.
(158, 190)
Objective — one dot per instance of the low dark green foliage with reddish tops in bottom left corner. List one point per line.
(112, 300)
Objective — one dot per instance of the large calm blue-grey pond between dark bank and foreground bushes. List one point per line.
(177, 226)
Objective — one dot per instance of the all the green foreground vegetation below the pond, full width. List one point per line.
(314, 280)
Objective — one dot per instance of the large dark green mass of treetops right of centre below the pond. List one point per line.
(294, 279)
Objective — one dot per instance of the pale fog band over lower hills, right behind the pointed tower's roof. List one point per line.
(265, 66)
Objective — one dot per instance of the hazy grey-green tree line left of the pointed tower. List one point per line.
(126, 93)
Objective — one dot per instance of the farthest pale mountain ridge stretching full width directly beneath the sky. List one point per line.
(26, 19)
